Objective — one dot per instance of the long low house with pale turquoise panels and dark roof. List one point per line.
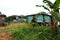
(42, 18)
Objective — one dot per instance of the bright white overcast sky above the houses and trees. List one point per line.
(21, 7)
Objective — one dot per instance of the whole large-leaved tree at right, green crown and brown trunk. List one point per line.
(53, 9)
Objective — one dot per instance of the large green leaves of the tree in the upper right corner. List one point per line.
(53, 8)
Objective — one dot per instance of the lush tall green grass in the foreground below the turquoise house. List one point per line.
(36, 33)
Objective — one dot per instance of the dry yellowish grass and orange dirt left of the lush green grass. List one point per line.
(6, 31)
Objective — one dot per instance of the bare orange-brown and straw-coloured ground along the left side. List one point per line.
(5, 35)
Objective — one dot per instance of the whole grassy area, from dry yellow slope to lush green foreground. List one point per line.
(24, 31)
